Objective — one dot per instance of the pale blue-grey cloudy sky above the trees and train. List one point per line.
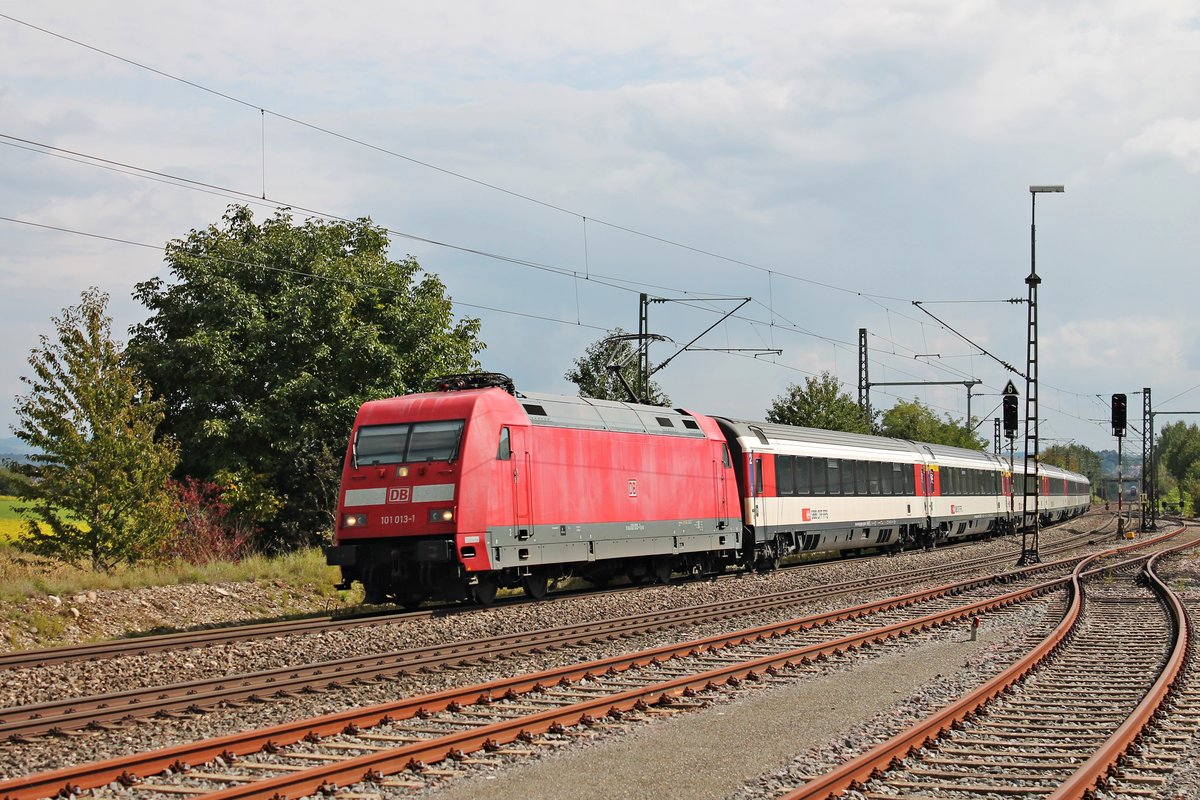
(836, 164)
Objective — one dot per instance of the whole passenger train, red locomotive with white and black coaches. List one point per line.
(473, 488)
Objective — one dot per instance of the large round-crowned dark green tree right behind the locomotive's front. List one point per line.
(269, 340)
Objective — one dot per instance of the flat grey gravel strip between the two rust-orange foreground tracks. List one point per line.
(745, 748)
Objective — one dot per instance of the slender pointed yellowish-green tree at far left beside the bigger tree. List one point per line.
(98, 477)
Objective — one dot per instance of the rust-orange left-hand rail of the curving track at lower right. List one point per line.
(871, 765)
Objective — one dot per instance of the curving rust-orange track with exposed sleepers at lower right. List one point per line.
(1060, 723)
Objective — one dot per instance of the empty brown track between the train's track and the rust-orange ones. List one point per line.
(77, 713)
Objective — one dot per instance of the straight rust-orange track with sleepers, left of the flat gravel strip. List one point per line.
(375, 744)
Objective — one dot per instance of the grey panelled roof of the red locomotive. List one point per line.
(589, 413)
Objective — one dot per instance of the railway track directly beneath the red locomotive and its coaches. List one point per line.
(209, 637)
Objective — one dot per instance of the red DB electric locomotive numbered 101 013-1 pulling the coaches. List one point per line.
(458, 492)
